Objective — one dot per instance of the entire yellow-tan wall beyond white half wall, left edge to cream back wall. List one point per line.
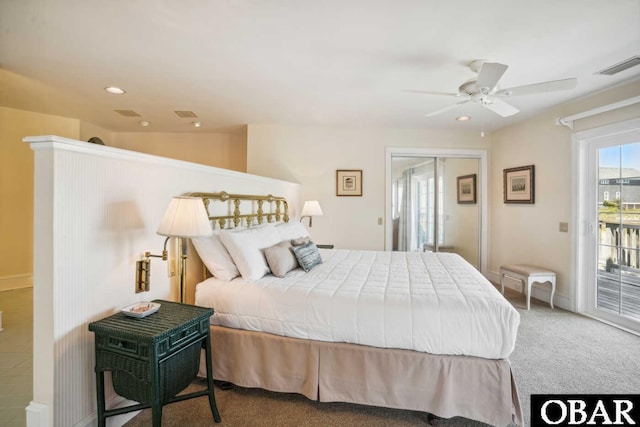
(227, 151)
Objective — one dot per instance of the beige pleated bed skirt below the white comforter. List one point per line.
(446, 386)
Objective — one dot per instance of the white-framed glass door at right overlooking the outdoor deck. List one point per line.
(607, 269)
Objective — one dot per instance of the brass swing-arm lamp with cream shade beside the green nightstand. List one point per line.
(185, 217)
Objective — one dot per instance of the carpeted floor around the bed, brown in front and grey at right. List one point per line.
(556, 352)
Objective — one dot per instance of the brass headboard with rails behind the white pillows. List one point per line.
(234, 218)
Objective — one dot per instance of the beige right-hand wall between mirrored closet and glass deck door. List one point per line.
(530, 233)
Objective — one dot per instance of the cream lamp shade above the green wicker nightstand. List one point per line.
(185, 217)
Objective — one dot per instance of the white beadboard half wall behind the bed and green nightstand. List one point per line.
(96, 212)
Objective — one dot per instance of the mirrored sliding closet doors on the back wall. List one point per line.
(435, 205)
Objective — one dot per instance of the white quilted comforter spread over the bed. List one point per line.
(431, 302)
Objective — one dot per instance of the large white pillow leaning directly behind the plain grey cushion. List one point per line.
(245, 248)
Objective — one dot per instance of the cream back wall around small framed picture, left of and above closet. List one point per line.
(311, 156)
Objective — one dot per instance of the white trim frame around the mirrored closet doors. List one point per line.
(482, 188)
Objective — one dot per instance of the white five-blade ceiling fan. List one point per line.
(484, 89)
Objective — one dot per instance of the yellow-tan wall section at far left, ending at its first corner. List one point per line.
(16, 189)
